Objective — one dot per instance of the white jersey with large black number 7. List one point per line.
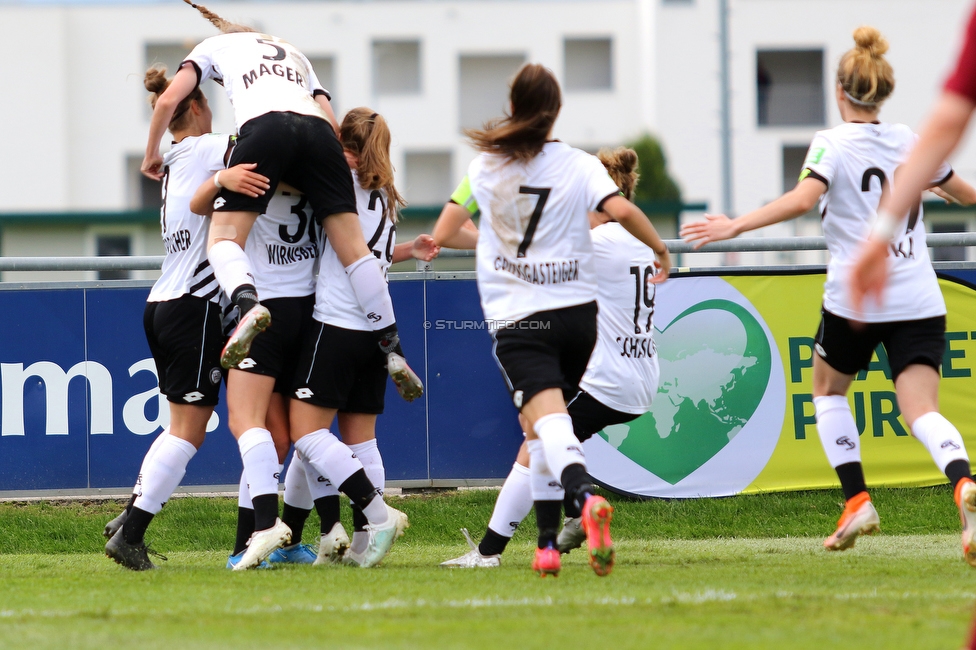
(534, 248)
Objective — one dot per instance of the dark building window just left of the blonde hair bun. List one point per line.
(789, 88)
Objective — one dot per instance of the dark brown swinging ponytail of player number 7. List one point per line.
(536, 100)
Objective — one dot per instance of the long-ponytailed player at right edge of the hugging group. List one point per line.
(341, 372)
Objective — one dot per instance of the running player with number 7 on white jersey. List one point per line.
(537, 279)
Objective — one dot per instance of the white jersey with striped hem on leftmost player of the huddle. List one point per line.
(186, 269)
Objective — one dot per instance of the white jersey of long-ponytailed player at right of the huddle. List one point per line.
(335, 302)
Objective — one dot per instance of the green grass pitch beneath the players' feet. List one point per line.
(743, 572)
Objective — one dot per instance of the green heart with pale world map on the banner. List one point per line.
(715, 366)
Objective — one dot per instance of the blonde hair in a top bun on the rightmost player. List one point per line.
(864, 74)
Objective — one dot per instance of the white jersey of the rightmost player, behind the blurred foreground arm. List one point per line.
(856, 160)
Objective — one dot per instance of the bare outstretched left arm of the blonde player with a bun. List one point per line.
(718, 227)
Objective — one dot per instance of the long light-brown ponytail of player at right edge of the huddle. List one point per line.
(366, 134)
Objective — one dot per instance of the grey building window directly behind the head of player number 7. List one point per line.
(483, 88)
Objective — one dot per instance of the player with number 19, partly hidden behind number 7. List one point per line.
(621, 377)
